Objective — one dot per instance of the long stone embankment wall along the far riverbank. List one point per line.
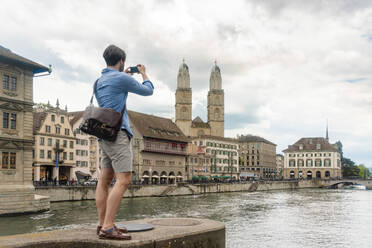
(65, 193)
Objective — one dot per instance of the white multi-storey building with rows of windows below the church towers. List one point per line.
(221, 155)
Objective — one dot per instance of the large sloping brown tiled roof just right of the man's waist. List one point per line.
(156, 127)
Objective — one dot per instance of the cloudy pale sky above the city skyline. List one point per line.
(287, 66)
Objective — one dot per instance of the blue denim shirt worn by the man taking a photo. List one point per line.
(112, 92)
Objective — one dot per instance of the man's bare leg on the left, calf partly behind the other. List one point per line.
(105, 179)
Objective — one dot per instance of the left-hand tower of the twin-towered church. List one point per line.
(183, 100)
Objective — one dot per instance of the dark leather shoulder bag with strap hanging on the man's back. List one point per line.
(104, 123)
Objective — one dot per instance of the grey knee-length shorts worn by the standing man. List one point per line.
(117, 155)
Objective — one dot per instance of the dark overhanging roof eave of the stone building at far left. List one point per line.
(8, 56)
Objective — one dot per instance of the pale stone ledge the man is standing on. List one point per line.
(174, 232)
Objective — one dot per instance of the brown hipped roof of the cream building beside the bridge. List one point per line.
(309, 144)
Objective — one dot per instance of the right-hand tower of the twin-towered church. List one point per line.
(216, 103)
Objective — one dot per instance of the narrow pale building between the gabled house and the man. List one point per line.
(87, 149)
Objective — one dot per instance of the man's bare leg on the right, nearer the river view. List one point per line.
(114, 199)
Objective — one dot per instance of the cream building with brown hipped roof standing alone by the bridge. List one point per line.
(312, 158)
